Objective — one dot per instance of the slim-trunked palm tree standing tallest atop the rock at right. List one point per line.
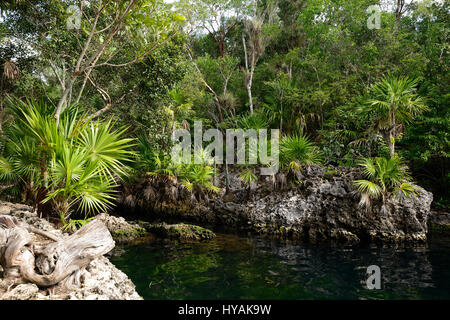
(394, 103)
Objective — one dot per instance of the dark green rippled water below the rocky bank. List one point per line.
(234, 267)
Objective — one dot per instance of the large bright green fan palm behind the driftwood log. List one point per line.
(75, 164)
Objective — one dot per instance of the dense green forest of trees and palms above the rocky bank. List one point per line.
(311, 68)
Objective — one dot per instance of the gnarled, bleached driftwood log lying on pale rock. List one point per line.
(55, 264)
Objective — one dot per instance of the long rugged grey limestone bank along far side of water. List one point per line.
(323, 205)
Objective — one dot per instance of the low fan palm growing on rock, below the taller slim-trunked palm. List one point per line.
(384, 176)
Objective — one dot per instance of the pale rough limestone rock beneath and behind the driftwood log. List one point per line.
(100, 280)
